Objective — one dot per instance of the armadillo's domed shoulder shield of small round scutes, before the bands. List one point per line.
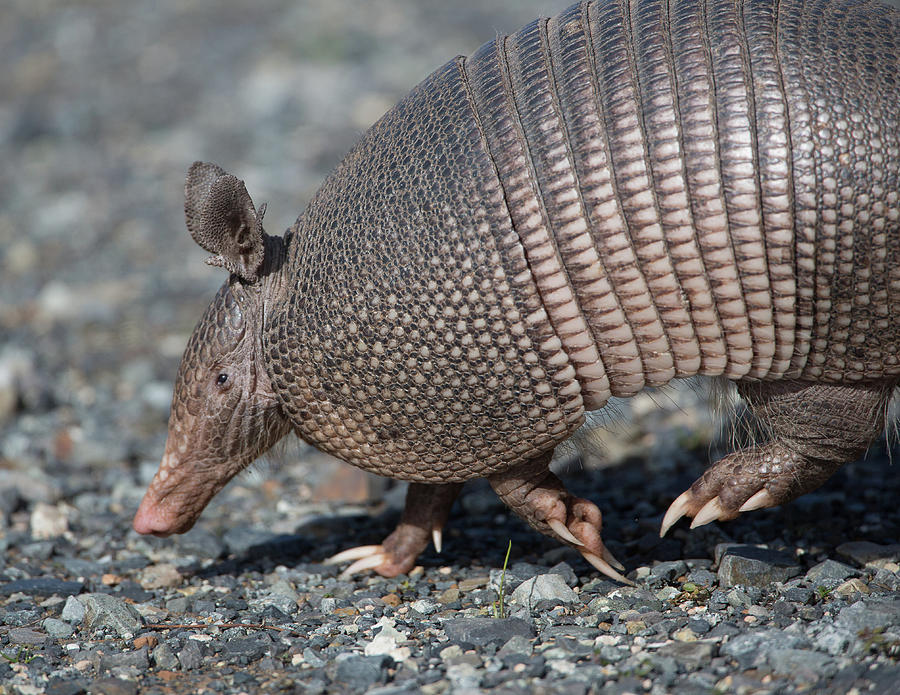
(414, 342)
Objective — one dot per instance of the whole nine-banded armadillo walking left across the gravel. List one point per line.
(626, 194)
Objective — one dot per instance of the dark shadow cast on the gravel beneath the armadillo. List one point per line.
(633, 496)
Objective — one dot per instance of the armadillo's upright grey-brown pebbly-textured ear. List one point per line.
(222, 219)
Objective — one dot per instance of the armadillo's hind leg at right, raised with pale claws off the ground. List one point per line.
(814, 429)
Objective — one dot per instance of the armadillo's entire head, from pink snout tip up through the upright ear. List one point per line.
(224, 411)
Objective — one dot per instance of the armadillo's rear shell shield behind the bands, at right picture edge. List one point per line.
(843, 94)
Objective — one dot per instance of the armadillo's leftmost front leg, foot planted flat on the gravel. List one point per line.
(426, 512)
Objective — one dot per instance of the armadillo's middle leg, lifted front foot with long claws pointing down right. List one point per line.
(539, 498)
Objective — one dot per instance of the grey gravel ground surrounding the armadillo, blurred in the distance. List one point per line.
(104, 105)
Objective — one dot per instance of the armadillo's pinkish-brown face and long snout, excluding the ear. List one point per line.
(224, 411)
